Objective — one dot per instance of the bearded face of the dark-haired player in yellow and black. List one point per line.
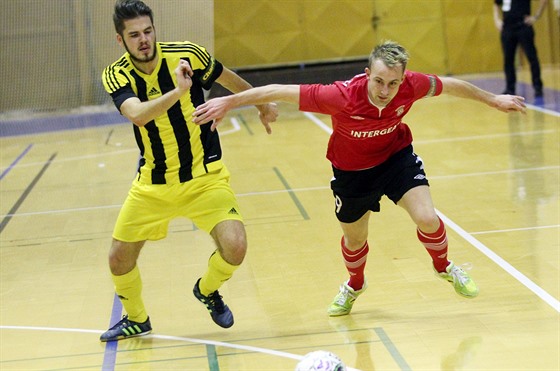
(139, 39)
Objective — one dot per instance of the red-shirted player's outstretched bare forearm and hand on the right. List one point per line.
(464, 89)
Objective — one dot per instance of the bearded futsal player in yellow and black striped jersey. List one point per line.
(157, 85)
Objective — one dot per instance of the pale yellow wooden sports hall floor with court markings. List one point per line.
(495, 182)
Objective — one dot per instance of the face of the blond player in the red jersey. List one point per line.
(383, 82)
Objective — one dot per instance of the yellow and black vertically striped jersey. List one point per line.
(173, 149)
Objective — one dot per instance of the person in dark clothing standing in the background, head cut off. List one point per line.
(514, 21)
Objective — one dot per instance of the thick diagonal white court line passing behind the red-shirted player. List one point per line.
(549, 299)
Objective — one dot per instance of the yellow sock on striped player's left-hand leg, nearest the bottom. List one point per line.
(129, 289)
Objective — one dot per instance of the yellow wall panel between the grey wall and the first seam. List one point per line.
(325, 29)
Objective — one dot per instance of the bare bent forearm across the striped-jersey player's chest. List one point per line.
(140, 113)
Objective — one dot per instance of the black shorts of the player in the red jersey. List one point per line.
(357, 192)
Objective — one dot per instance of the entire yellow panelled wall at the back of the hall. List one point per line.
(442, 36)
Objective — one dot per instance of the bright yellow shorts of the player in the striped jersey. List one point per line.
(206, 200)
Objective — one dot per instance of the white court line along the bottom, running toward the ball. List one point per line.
(248, 348)
